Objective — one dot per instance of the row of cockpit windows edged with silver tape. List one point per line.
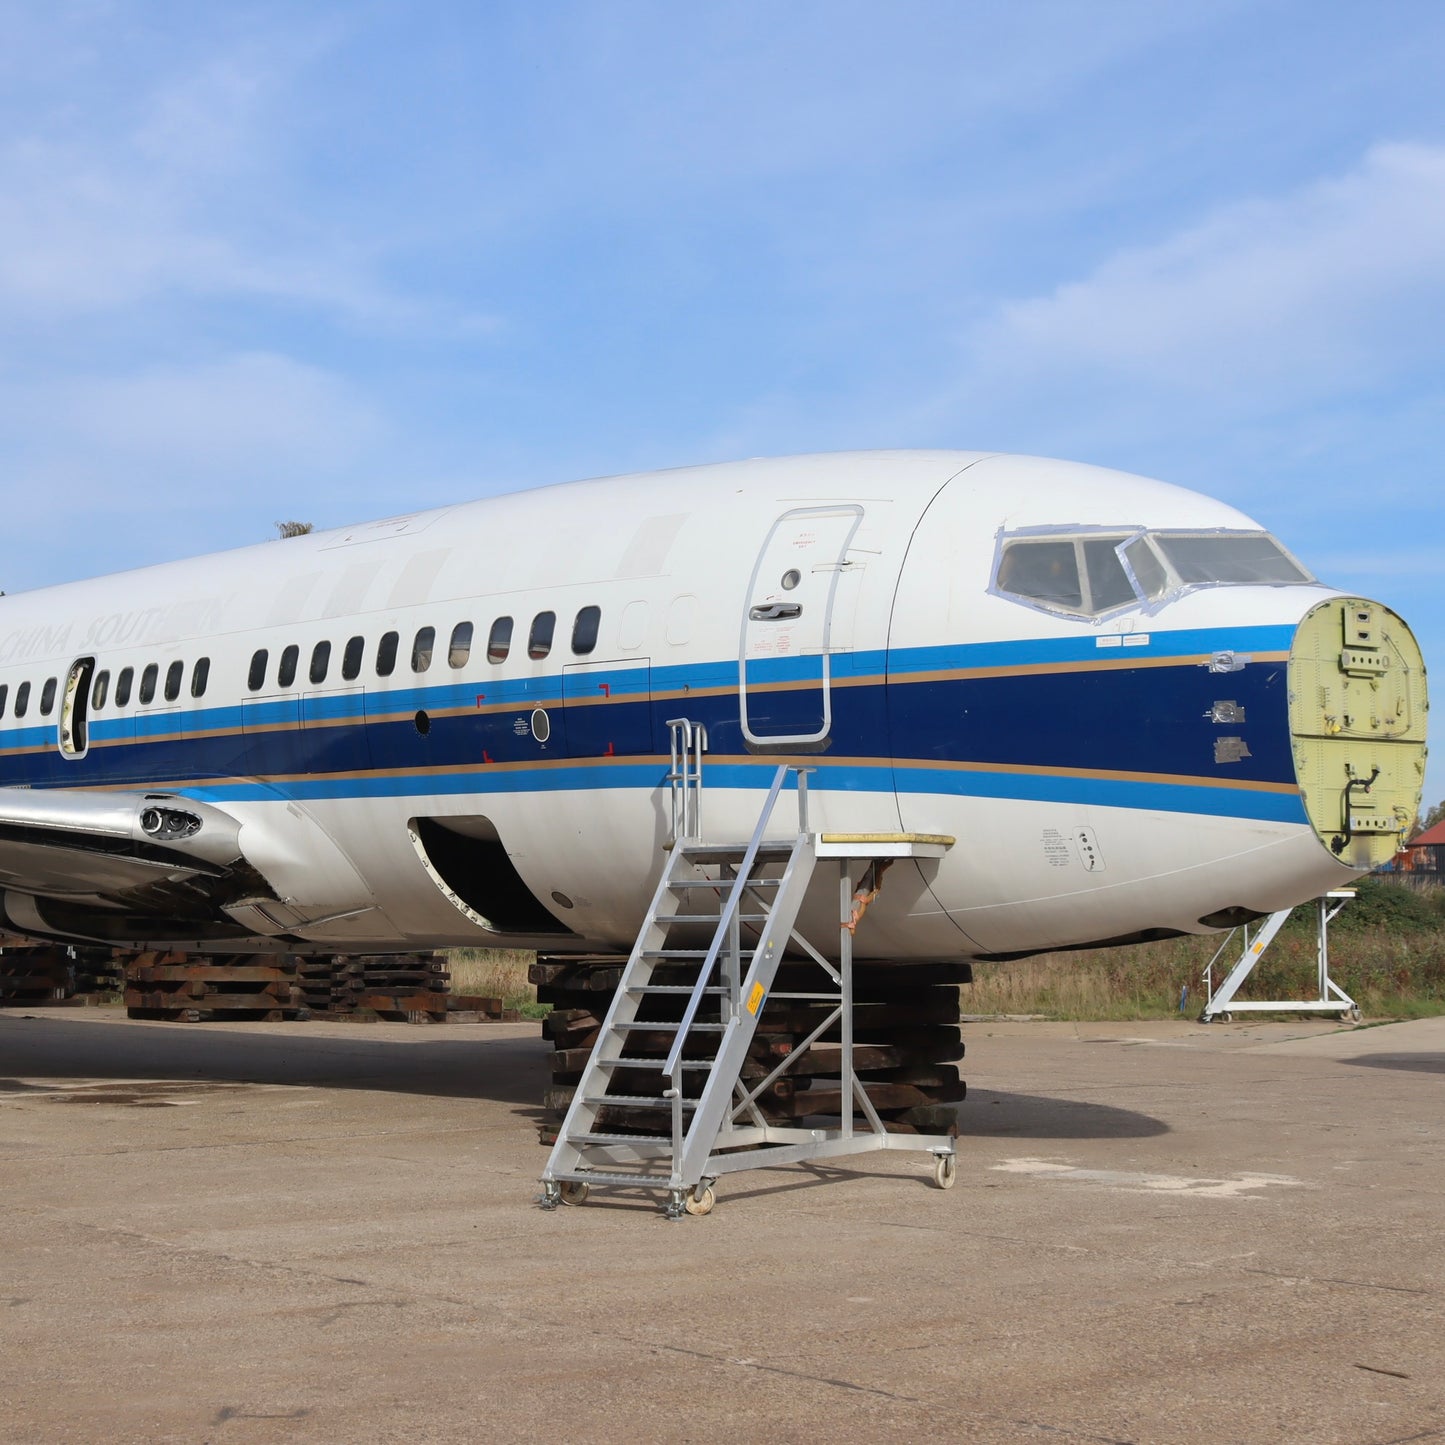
(1100, 571)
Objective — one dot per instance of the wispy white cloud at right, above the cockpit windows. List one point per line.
(1261, 307)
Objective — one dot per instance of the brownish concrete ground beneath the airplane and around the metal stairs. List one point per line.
(252, 1233)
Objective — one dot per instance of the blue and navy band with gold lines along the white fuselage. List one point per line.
(1147, 712)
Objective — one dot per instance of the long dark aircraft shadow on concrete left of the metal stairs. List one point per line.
(509, 1070)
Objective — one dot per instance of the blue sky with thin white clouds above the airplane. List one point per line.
(339, 261)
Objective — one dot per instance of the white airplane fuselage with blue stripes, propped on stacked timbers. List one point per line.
(453, 728)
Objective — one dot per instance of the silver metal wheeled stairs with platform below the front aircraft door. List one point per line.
(661, 1103)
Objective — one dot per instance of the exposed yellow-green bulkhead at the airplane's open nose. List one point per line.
(1358, 710)
